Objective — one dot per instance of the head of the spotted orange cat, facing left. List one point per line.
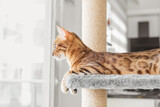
(62, 42)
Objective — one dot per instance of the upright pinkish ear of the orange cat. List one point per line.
(64, 34)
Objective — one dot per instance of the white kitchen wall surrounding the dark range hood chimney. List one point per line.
(140, 11)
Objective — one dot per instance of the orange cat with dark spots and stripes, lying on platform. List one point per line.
(83, 60)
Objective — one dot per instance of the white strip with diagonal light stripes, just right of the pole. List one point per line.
(118, 25)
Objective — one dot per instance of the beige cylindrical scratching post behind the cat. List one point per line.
(94, 36)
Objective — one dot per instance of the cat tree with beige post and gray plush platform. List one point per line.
(94, 36)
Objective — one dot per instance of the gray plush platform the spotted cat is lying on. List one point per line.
(114, 81)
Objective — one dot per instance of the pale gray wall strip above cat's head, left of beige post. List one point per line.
(72, 16)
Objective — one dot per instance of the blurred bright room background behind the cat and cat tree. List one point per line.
(30, 77)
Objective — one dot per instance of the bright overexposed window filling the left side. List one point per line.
(24, 53)
